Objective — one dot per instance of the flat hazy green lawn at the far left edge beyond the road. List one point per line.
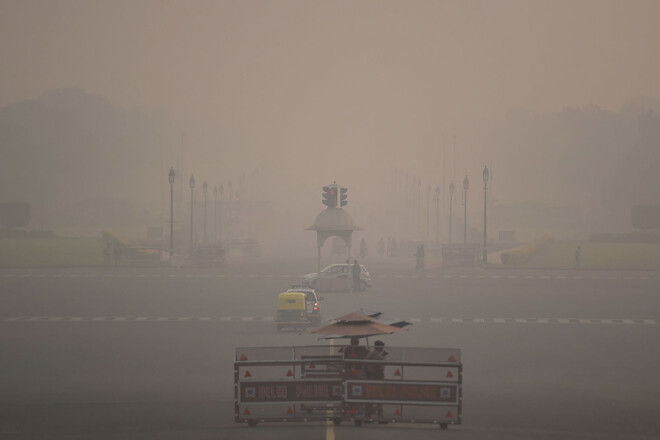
(55, 251)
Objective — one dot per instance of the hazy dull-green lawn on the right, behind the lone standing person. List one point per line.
(597, 255)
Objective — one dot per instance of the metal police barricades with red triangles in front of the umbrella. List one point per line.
(318, 383)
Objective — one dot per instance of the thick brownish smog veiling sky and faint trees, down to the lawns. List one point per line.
(559, 98)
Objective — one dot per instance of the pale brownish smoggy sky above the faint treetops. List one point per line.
(306, 82)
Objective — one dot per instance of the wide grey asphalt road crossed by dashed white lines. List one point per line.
(88, 353)
